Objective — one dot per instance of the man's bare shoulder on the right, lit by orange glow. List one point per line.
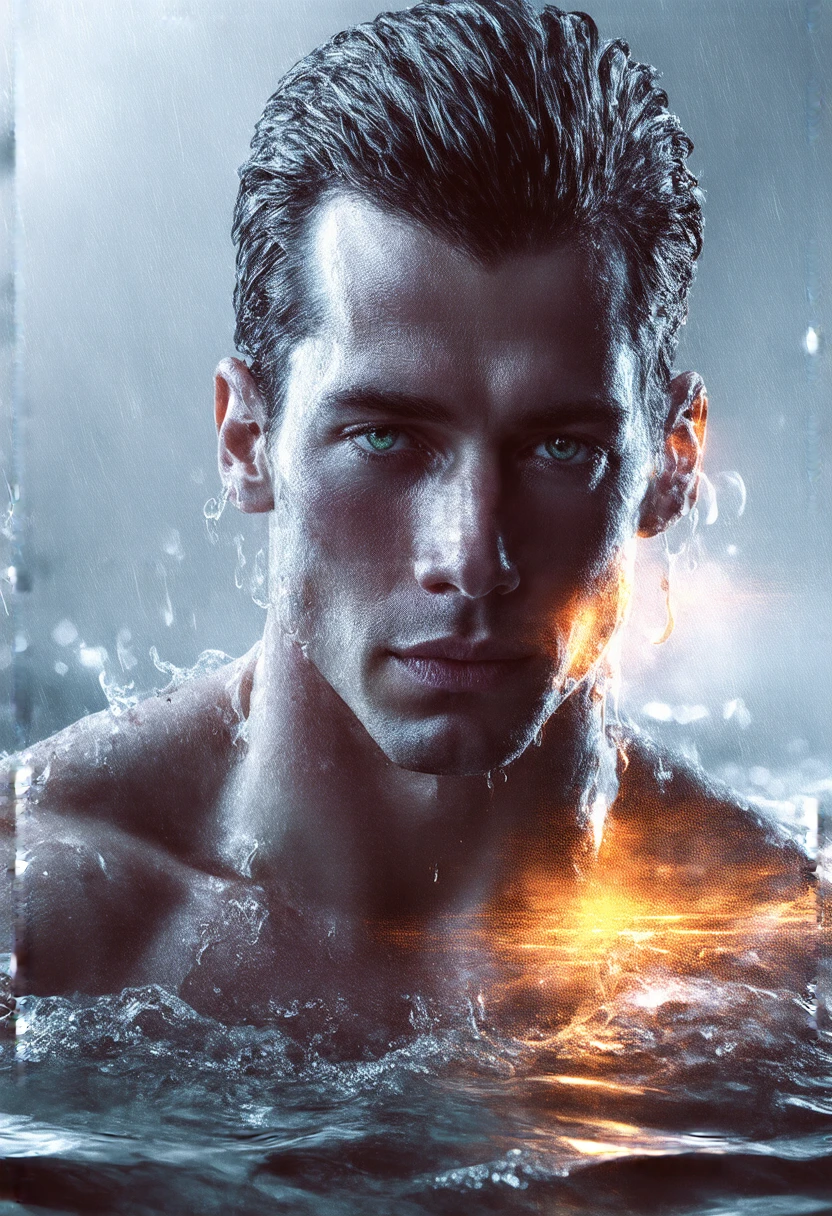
(676, 823)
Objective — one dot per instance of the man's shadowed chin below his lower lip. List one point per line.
(452, 748)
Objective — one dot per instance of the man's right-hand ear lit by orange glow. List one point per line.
(676, 483)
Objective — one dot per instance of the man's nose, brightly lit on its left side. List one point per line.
(463, 547)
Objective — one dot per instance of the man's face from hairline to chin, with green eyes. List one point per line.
(458, 470)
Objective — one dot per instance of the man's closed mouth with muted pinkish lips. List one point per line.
(454, 665)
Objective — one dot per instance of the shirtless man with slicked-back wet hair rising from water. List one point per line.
(466, 234)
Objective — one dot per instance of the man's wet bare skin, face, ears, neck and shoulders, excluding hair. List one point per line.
(459, 469)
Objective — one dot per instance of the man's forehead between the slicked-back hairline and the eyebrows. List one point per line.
(397, 303)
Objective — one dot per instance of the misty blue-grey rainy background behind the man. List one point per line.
(131, 123)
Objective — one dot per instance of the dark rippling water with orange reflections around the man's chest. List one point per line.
(687, 1085)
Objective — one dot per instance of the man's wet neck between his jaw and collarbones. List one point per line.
(319, 814)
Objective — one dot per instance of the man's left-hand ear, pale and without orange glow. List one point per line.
(243, 419)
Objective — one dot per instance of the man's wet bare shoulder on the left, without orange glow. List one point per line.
(151, 772)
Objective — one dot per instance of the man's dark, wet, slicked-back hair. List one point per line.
(498, 127)
